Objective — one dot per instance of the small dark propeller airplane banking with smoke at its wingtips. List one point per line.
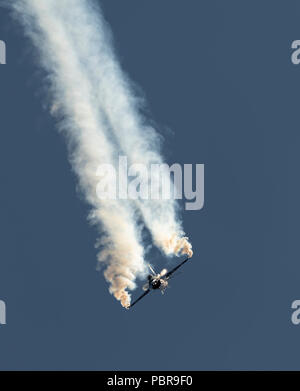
(157, 281)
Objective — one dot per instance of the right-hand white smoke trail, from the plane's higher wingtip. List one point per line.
(137, 140)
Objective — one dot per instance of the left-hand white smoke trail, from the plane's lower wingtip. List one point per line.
(83, 124)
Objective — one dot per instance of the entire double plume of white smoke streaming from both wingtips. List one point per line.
(100, 118)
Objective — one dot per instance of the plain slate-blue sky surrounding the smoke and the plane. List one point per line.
(220, 83)
